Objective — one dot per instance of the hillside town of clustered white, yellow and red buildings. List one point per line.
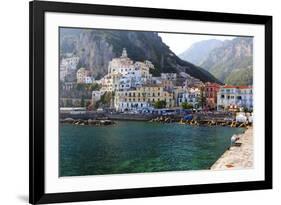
(130, 87)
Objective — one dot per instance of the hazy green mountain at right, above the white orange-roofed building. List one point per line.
(232, 63)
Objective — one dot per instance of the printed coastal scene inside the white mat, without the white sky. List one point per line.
(129, 102)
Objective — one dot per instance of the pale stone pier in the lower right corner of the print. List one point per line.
(239, 155)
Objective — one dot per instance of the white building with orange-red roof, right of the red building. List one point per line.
(235, 97)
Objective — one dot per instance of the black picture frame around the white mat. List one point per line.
(37, 193)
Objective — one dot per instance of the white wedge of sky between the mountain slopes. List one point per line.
(178, 43)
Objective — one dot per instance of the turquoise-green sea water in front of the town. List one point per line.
(135, 147)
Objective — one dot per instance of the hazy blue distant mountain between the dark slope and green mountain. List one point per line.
(199, 51)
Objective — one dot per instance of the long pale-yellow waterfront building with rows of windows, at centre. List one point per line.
(142, 97)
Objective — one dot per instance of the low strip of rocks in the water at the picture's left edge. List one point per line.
(91, 122)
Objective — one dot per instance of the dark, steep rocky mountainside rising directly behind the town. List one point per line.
(97, 47)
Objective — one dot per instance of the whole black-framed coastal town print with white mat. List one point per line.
(140, 102)
